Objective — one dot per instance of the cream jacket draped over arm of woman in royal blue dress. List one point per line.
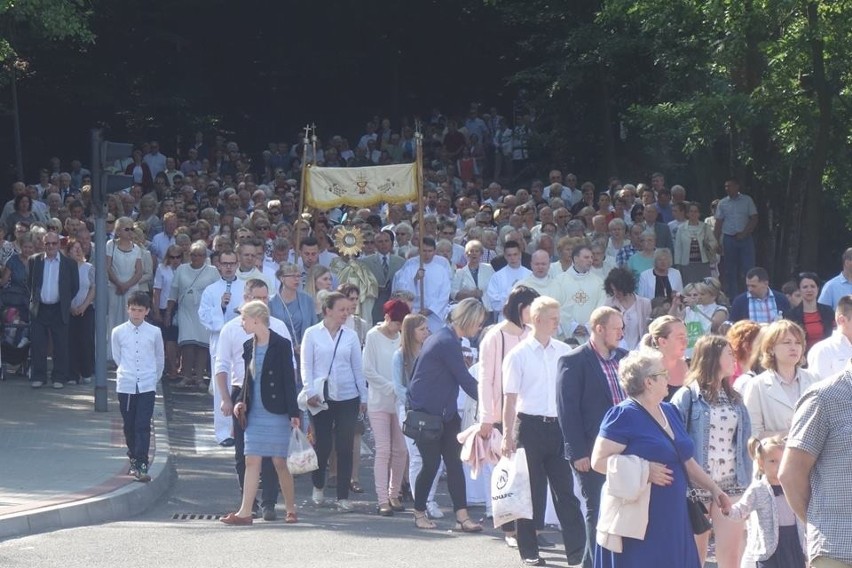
(625, 498)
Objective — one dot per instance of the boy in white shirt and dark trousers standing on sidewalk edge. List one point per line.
(133, 344)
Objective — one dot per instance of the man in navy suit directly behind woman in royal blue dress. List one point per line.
(586, 388)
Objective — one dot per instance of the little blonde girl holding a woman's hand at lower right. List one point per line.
(775, 537)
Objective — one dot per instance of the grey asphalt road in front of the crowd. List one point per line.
(207, 487)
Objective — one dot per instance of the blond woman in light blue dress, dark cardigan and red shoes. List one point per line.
(268, 407)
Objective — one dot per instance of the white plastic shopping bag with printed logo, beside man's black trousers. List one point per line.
(511, 497)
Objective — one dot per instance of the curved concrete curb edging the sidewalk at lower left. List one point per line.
(128, 501)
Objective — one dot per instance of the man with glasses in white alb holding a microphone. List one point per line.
(218, 304)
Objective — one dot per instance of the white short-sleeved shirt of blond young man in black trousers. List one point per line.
(530, 370)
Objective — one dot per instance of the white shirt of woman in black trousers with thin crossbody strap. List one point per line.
(346, 378)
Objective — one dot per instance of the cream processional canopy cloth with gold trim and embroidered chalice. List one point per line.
(360, 187)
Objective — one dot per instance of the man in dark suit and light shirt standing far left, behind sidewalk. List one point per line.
(53, 281)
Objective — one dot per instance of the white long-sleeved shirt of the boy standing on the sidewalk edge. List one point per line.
(132, 348)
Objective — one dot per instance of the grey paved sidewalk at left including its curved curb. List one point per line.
(63, 464)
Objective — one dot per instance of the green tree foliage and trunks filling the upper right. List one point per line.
(708, 89)
